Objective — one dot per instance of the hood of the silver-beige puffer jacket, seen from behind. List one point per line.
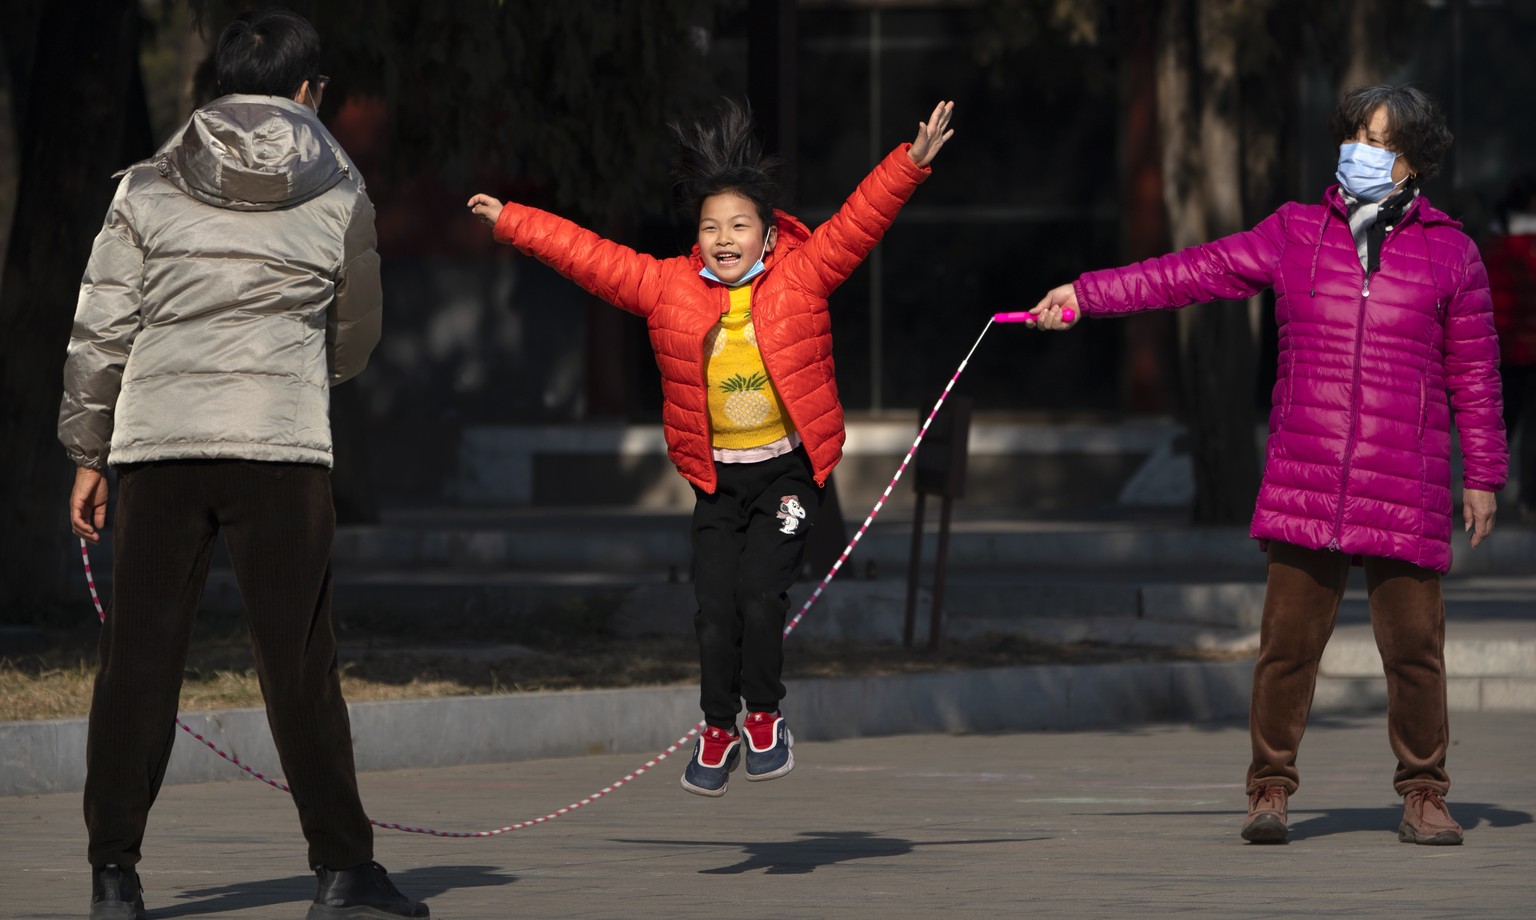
(253, 153)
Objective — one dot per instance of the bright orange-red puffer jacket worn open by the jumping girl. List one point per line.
(681, 308)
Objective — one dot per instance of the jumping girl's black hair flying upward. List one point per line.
(720, 154)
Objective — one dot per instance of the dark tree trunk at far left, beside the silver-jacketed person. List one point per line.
(84, 99)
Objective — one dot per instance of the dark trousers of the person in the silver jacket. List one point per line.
(279, 525)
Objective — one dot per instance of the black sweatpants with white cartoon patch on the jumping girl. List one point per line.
(749, 540)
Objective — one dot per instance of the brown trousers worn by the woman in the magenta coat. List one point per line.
(1408, 615)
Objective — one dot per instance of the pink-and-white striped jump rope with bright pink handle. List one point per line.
(1018, 317)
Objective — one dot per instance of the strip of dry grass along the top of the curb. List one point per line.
(569, 647)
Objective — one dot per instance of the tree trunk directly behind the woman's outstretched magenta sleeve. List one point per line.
(1200, 121)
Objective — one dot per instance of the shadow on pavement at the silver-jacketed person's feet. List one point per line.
(422, 884)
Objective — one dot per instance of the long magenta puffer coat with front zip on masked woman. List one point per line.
(1371, 372)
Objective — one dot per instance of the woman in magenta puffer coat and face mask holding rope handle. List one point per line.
(1386, 337)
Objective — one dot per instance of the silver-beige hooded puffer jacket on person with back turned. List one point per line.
(234, 282)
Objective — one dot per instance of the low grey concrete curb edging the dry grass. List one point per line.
(50, 756)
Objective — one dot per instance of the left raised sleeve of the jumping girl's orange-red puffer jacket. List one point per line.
(620, 276)
